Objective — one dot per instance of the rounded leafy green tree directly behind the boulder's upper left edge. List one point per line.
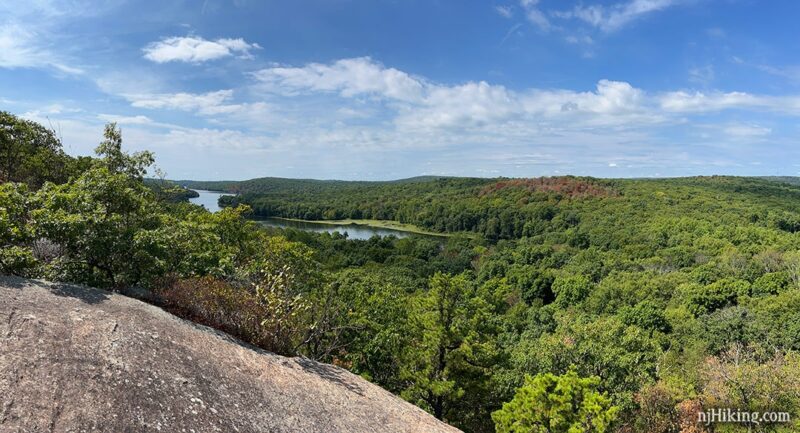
(106, 225)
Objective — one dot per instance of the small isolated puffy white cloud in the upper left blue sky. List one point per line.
(194, 49)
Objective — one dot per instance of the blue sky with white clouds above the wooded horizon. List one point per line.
(387, 89)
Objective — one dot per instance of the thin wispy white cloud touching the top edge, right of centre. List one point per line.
(614, 17)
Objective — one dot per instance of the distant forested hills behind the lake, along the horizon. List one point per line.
(516, 208)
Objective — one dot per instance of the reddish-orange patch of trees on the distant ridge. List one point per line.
(569, 187)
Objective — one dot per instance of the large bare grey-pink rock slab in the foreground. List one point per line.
(75, 359)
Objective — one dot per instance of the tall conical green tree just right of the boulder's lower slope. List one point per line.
(454, 351)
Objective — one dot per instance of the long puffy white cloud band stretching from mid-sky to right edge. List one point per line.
(422, 105)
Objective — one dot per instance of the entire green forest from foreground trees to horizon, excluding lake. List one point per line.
(568, 304)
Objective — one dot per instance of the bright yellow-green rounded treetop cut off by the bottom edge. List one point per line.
(557, 404)
